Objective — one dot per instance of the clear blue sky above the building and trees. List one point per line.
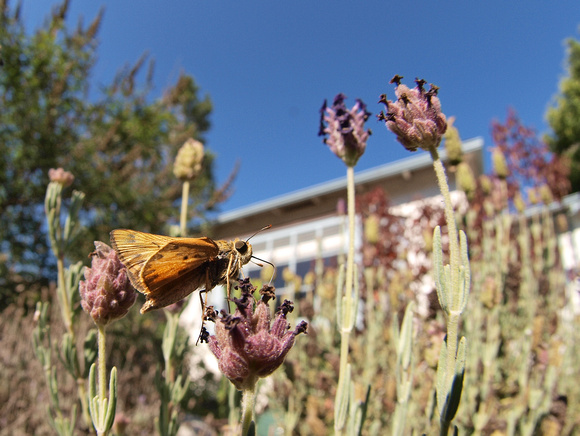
(268, 66)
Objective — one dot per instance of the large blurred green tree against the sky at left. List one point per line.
(119, 144)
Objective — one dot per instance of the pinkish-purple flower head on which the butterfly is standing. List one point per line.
(248, 344)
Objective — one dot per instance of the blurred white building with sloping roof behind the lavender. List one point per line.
(305, 223)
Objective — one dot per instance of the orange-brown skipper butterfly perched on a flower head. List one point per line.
(166, 269)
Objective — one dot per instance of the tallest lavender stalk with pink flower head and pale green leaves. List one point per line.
(416, 118)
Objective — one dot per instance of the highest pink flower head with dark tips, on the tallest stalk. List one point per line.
(415, 117)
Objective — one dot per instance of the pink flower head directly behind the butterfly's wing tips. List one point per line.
(106, 292)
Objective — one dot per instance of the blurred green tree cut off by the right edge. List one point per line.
(564, 115)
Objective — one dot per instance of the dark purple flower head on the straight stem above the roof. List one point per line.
(347, 137)
